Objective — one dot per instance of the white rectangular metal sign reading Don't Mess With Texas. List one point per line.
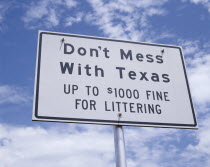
(106, 81)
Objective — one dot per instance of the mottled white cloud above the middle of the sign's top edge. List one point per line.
(124, 19)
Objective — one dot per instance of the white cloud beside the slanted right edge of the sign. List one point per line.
(198, 68)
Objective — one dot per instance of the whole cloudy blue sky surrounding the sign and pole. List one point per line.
(25, 143)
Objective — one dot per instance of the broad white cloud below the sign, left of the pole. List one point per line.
(37, 147)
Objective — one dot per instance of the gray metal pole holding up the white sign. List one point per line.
(119, 146)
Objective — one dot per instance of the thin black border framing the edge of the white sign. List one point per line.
(46, 118)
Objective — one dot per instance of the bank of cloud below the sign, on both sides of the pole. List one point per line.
(91, 145)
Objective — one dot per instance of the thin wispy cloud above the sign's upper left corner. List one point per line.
(46, 12)
